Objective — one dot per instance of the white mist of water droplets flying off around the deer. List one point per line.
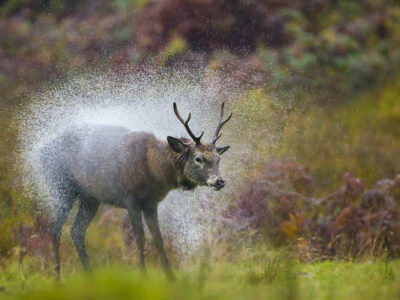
(140, 102)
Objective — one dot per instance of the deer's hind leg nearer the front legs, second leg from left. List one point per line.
(87, 210)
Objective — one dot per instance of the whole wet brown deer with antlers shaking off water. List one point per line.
(127, 169)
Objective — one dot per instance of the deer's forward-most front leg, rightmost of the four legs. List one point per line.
(151, 216)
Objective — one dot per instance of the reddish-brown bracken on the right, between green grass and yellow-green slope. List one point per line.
(348, 223)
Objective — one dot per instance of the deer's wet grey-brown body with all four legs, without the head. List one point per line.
(108, 164)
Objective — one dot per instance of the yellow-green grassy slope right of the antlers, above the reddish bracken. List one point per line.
(361, 136)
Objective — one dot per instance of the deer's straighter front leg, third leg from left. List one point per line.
(135, 214)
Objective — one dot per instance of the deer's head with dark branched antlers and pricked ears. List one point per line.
(199, 161)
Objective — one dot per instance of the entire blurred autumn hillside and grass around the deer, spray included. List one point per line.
(312, 205)
